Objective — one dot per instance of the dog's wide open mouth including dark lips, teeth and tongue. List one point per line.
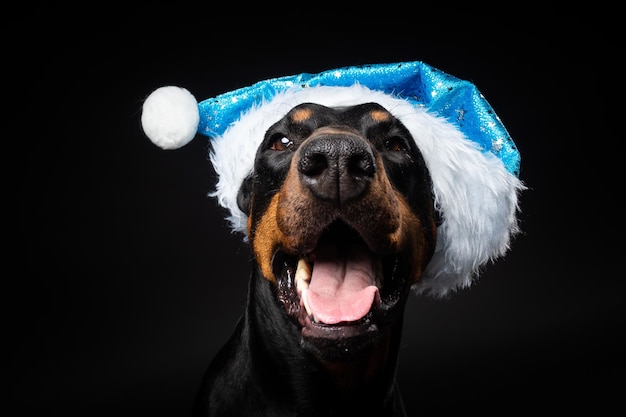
(341, 289)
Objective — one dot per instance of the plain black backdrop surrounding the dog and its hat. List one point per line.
(123, 278)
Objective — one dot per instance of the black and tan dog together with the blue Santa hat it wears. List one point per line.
(352, 187)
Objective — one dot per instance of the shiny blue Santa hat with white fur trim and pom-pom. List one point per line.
(473, 162)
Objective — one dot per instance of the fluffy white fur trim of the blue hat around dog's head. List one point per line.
(475, 193)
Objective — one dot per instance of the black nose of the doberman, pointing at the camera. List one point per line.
(337, 167)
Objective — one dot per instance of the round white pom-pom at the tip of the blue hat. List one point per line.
(170, 117)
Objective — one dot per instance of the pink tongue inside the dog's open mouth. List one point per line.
(342, 285)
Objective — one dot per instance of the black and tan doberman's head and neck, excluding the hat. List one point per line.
(341, 223)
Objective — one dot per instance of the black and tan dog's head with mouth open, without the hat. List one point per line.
(341, 218)
